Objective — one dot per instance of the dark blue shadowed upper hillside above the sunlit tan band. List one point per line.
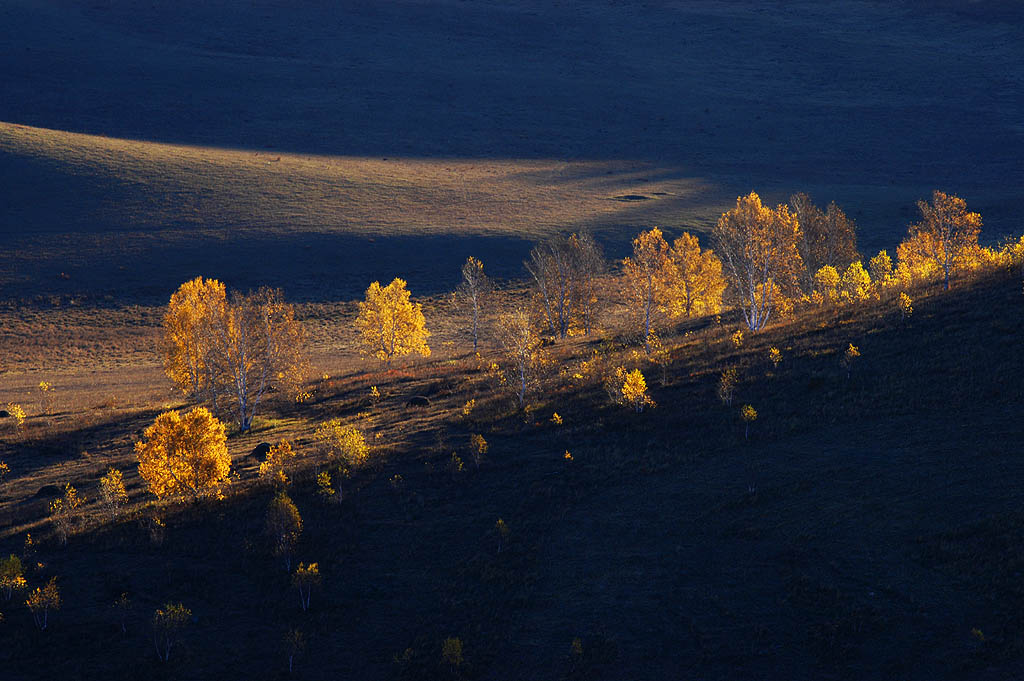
(754, 92)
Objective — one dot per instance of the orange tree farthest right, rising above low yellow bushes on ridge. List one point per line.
(947, 233)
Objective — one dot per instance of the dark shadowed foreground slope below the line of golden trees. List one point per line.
(865, 529)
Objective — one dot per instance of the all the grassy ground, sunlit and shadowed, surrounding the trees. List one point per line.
(865, 530)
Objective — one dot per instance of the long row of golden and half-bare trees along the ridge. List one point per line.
(230, 353)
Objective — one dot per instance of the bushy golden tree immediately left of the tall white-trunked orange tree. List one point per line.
(699, 283)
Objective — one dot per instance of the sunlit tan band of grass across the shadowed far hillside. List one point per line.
(99, 184)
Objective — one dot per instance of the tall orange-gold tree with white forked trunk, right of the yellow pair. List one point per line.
(758, 247)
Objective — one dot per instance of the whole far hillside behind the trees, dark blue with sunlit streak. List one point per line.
(871, 105)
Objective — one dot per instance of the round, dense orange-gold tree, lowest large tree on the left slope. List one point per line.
(185, 455)
